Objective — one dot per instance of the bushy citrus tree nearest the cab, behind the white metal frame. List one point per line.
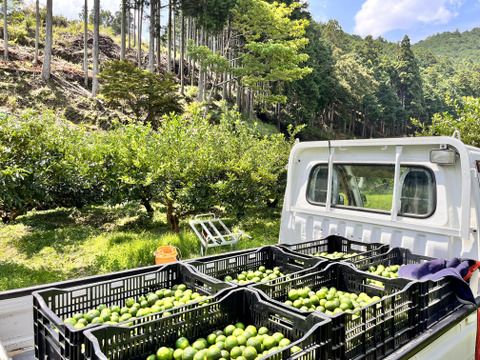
(224, 164)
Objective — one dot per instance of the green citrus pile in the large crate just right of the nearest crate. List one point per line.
(328, 300)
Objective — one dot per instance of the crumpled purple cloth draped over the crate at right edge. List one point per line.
(454, 269)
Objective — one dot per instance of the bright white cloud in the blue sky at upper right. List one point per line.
(376, 17)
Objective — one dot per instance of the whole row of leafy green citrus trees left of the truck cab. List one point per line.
(191, 164)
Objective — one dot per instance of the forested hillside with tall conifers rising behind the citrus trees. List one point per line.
(338, 85)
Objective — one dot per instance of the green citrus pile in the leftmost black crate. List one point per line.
(153, 302)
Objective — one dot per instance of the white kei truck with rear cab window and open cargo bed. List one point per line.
(418, 193)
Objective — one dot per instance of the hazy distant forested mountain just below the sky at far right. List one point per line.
(455, 45)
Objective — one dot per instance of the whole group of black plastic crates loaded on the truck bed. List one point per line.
(402, 308)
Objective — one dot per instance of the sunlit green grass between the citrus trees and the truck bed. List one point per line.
(48, 246)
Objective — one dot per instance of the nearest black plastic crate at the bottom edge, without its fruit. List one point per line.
(310, 332)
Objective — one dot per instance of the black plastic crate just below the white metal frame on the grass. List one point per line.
(269, 256)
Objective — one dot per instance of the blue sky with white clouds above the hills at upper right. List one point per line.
(393, 19)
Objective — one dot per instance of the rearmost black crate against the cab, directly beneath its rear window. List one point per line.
(334, 243)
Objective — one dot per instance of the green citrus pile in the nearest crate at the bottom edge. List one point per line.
(233, 342)
